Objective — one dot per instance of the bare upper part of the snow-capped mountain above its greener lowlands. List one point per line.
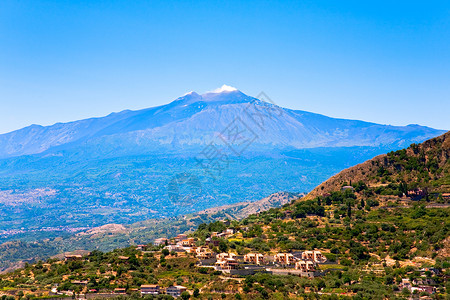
(194, 120)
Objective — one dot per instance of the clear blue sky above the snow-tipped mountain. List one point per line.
(381, 61)
